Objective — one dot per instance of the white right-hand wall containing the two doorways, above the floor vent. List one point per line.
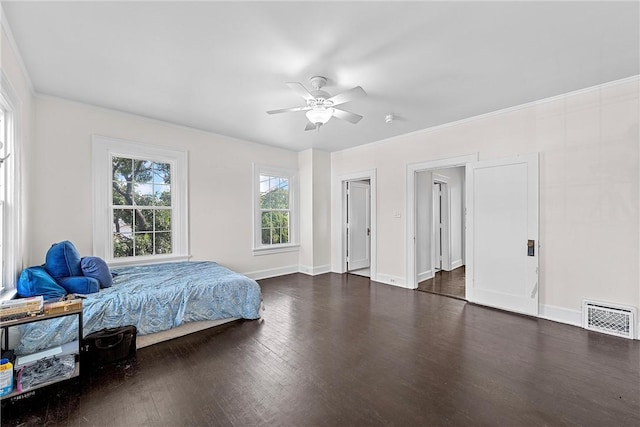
(589, 187)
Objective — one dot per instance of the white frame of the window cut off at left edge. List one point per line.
(11, 168)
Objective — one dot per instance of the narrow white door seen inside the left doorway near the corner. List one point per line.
(358, 225)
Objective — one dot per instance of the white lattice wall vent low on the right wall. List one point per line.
(609, 318)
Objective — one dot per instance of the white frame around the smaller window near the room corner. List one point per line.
(292, 176)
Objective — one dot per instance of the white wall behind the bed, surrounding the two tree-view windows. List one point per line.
(220, 183)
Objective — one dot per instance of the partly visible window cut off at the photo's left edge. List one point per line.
(10, 198)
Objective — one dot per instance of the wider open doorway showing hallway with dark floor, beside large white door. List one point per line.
(440, 235)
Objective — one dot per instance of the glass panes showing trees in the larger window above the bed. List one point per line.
(141, 207)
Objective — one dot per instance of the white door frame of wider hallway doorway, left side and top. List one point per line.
(412, 170)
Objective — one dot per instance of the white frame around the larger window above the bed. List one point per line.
(103, 150)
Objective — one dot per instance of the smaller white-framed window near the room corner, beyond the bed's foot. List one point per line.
(275, 210)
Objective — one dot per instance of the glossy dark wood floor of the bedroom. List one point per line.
(337, 350)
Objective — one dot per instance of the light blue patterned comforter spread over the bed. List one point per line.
(154, 298)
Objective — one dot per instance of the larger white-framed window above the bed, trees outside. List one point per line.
(141, 209)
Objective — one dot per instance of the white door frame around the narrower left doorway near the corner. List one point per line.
(339, 264)
